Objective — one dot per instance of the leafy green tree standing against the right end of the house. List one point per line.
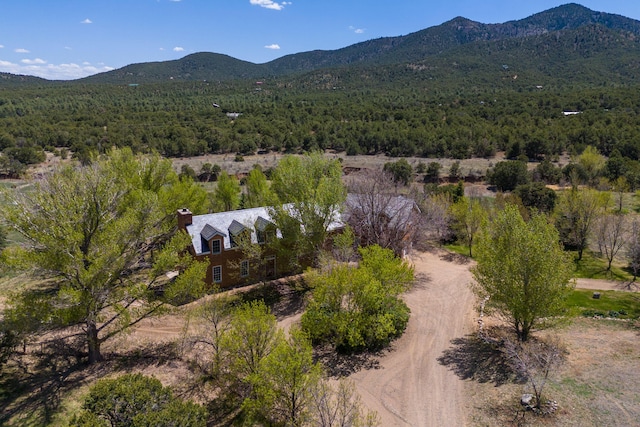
(311, 194)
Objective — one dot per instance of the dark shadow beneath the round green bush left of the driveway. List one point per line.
(339, 365)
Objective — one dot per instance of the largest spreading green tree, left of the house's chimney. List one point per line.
(90, 230)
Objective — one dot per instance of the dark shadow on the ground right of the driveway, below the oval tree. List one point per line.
(471, 358)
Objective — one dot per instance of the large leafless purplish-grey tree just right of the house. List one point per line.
(378, 214)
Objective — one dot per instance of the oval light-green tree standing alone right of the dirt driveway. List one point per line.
(522, 270)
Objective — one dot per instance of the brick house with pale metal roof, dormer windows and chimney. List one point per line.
(220, 239)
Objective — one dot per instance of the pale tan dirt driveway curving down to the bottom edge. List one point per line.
(411, 388)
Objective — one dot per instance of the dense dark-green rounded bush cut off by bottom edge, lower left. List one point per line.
(137, 401)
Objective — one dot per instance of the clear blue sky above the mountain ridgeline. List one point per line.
(68, 39)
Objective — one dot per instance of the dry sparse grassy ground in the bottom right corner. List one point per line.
(599, 384)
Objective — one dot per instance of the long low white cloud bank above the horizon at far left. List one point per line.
(40, 68)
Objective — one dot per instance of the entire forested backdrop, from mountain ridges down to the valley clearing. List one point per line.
(459, 90)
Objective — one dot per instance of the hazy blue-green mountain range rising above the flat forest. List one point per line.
(568, 42)
